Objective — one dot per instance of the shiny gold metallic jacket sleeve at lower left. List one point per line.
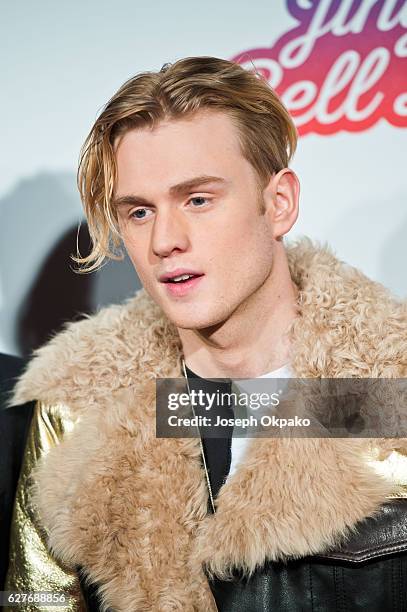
(31, 566)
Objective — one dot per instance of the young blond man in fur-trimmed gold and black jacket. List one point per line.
(188, 167)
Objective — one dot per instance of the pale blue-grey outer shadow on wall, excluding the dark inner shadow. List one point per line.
(34, 213)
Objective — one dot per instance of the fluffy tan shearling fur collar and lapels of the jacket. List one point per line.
(132, 508)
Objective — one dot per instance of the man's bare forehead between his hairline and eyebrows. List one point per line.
(176, 158)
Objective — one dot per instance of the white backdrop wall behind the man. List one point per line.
(62, 61)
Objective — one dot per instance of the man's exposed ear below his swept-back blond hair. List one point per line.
(281, 199)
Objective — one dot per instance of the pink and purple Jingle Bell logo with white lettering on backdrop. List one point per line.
(342, 67)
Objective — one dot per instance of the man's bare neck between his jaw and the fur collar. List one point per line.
(254, 340)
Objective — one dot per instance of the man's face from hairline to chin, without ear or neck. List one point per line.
(193, 208)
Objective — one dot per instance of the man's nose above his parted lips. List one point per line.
(169, 234)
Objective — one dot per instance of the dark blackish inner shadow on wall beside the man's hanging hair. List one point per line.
(60, 294)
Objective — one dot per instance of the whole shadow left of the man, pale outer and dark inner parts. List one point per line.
(39, 290)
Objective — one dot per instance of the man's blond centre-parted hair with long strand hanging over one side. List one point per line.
(266, 131)
